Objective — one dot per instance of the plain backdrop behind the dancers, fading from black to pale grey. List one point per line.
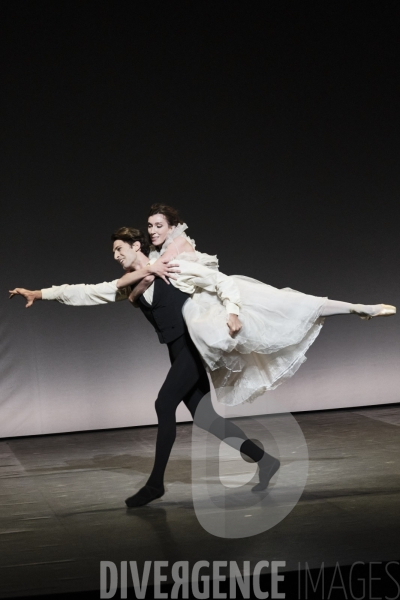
(272, 127)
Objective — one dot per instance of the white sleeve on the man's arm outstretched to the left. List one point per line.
(83, 294)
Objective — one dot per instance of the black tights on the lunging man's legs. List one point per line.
(187, 381)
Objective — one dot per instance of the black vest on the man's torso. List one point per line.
(165, 313)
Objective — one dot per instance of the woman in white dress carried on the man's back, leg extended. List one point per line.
(263, 346)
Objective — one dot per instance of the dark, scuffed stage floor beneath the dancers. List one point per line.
(63, 511)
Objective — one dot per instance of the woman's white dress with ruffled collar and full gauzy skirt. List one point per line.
(278, 328)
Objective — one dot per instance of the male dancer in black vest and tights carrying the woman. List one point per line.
(187, 379)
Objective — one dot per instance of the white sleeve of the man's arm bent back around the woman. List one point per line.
(193, 275)
